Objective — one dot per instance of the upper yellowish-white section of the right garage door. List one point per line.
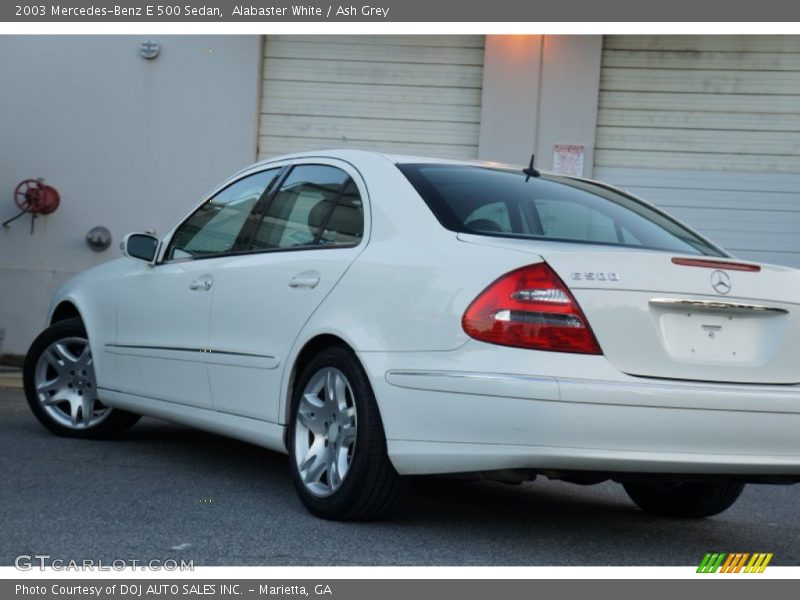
(700, 102)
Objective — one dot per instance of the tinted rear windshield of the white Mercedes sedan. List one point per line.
(499, 202)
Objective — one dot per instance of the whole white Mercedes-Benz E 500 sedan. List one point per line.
(381, 316)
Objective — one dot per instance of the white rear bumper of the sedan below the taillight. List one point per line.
(440, 420)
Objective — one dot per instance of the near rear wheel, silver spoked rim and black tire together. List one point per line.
(336, 442)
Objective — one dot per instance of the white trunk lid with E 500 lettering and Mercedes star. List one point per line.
(656, 314)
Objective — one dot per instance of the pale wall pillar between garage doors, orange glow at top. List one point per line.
(539, 91)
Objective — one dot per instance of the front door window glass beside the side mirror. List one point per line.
(214, 227)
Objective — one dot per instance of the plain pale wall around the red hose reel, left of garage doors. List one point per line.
(130, 144)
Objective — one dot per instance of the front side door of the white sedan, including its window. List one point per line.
(163, 310)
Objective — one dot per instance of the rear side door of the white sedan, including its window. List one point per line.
(311, 230)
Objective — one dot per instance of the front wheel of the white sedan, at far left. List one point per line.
(102, 421)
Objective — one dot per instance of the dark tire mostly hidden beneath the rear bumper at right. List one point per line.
(688, 499)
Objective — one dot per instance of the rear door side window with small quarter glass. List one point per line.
(315, 205)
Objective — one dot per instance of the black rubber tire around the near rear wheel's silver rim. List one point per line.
(371, 488)
